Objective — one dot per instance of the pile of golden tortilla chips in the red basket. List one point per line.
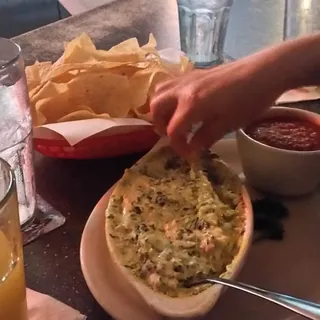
(85, 82)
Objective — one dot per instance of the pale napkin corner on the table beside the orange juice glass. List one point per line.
(44, 307)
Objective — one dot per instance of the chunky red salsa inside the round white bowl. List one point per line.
(286, 133)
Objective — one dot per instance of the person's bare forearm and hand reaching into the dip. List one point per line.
(230, 96)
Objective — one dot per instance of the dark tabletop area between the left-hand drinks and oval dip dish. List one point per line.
(73, 188)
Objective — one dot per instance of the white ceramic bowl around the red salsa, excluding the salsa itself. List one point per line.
(278, 171)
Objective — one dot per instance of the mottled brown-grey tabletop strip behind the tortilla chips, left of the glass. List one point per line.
(107, 26)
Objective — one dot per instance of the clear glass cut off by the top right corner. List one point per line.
(302, 17)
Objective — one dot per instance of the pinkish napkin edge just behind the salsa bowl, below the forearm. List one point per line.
(300, 94)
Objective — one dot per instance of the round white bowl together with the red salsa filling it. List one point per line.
(280, 151)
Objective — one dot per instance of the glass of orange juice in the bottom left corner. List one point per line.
(13, 304)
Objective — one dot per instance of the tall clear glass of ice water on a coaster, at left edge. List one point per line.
(16, 126)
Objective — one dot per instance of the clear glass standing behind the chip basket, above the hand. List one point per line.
(203, 27)
